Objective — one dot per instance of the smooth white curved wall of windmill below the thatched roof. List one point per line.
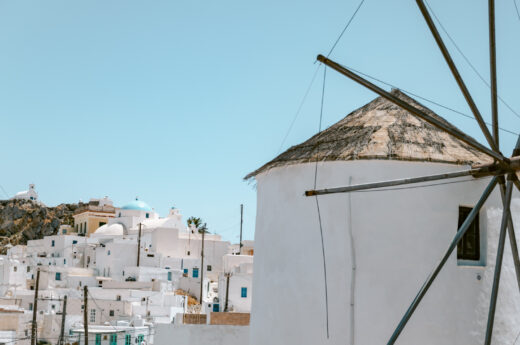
(399, 237)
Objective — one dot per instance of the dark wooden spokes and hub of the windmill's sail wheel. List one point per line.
(503, 169)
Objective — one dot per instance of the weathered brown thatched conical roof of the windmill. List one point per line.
(381, 130)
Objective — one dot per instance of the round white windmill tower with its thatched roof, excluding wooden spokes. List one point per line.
(378, 246)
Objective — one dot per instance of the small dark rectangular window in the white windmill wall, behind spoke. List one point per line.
(469, 246)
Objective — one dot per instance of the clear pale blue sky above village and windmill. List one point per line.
(176, 101)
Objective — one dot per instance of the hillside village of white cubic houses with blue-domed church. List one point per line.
(118, 273)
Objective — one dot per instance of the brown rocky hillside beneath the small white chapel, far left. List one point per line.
(22, 220)
